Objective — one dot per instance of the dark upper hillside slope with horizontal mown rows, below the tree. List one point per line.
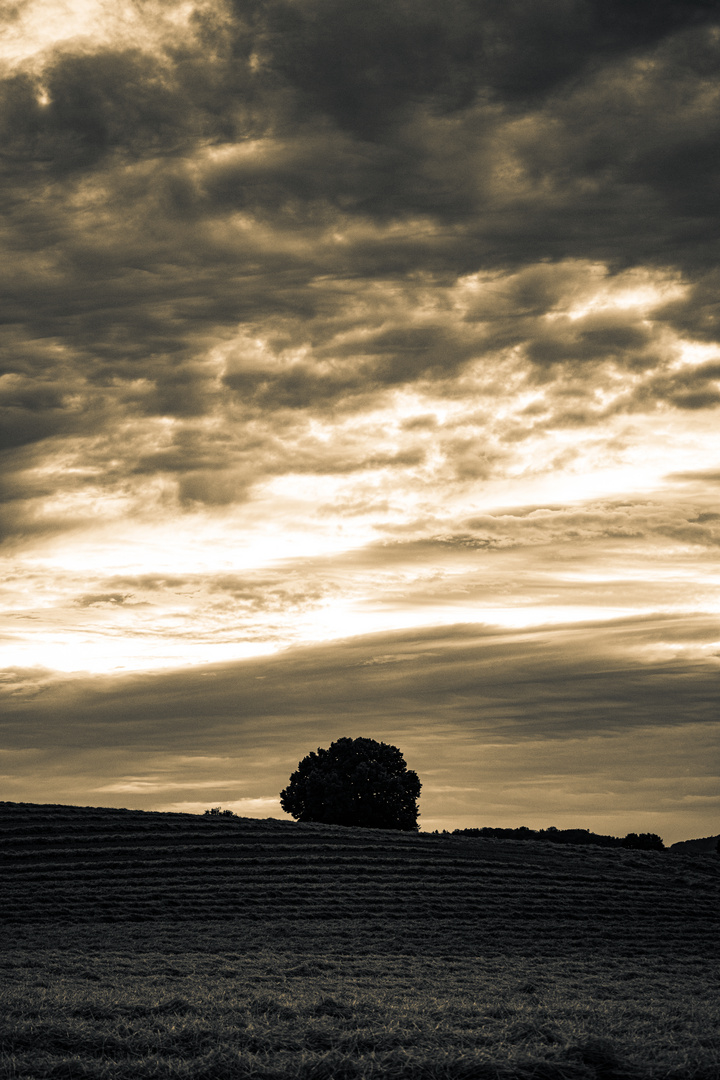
(77, 867)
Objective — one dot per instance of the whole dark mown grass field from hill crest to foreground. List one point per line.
(143, 946)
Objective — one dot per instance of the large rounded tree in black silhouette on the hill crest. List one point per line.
(355, 782)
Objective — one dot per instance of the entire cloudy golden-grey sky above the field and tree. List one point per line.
(361, 377)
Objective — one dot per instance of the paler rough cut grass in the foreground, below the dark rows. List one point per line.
(129, 1015)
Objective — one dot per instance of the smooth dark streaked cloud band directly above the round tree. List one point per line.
(515, 684)
